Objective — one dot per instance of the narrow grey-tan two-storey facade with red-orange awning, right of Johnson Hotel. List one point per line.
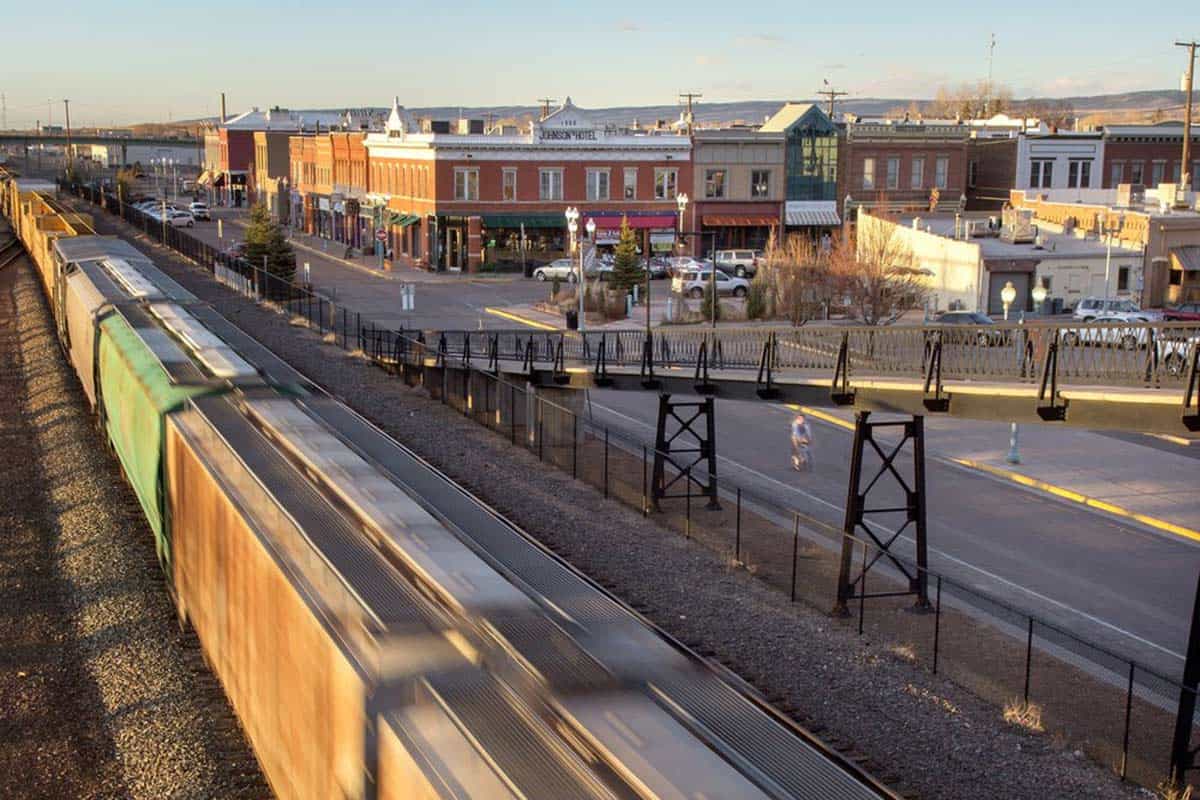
(739, 187)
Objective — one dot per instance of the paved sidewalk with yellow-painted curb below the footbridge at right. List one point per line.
(1076, 466)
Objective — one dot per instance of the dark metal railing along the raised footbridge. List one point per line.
(1126, 354)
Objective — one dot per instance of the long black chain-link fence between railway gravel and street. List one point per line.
(1045, 677)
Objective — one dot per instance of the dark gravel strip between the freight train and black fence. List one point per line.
(919, 731)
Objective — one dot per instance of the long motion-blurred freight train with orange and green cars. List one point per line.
(371, 646)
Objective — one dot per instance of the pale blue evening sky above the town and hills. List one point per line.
(146, 61)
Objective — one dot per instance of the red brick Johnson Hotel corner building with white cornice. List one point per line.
(458, 196)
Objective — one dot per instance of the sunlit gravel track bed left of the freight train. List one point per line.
(101, 694)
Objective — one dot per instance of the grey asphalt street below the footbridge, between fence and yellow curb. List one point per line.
(1106, 580)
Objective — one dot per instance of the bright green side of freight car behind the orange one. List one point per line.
(136, 394)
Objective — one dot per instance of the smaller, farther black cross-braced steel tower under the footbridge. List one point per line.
(668, 448)
